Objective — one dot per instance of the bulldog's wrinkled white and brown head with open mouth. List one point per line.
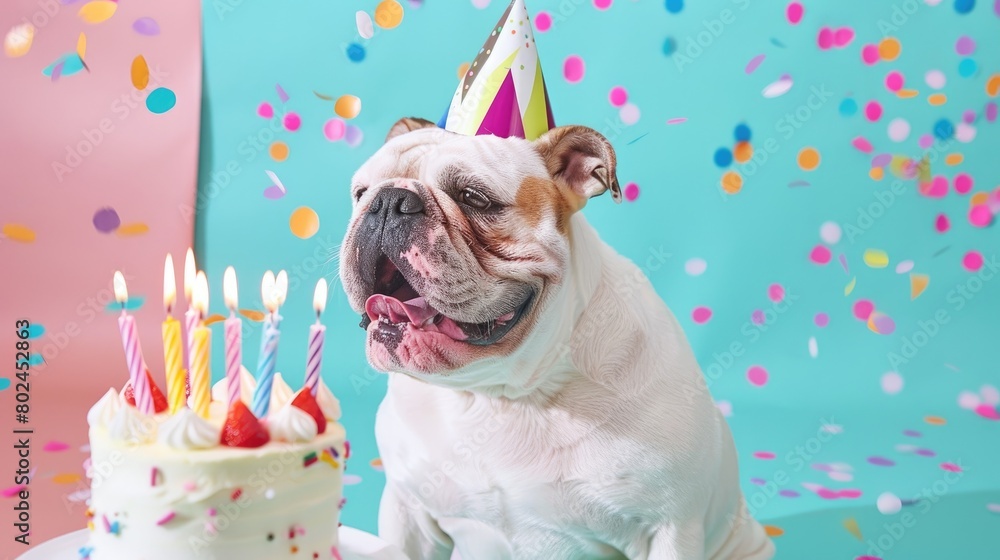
(457, 242)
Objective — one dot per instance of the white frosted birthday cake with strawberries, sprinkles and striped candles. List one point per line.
(216, 474)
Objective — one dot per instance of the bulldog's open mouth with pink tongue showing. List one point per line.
(396, 306)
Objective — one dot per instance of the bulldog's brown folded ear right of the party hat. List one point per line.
(581, 159)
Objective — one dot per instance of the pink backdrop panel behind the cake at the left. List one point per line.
(70, 147)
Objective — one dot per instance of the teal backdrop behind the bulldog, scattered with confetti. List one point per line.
(760, 236)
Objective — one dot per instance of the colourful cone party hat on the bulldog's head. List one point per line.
(503, 92)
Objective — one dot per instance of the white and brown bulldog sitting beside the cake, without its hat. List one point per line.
(542, 400)
